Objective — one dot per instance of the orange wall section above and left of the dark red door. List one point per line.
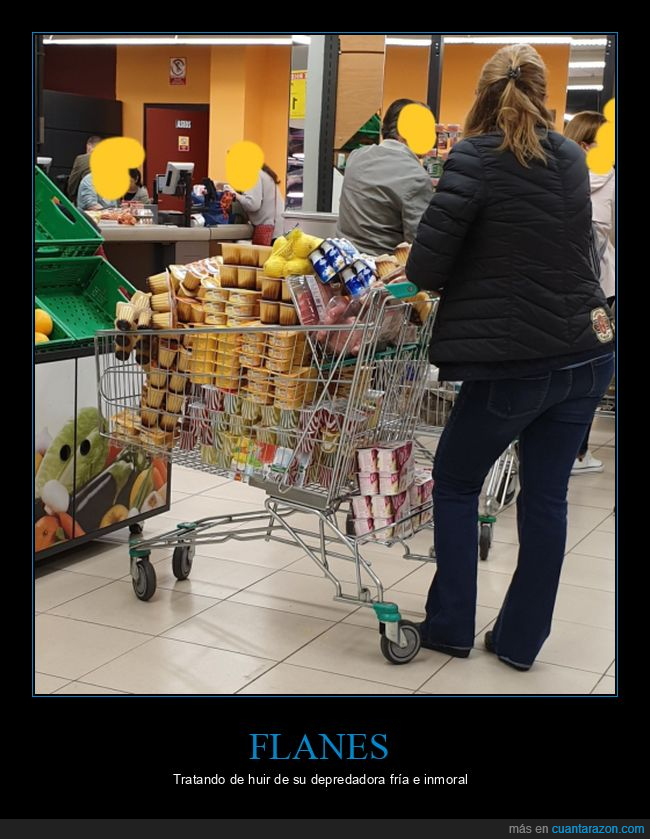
(142, 76)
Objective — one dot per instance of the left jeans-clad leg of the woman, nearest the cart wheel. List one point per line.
(486, 418)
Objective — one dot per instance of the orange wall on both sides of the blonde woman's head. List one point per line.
(461, 69)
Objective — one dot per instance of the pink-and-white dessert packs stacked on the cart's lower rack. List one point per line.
(395, 497)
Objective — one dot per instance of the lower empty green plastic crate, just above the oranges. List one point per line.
(80, 293)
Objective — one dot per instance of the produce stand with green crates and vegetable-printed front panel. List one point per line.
(83, 483)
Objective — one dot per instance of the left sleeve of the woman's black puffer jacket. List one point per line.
(447, 219)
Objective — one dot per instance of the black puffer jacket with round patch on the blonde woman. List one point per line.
(508, 246)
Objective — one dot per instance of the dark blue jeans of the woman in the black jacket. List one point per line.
(549, 414)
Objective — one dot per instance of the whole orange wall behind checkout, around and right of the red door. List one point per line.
(247, 89)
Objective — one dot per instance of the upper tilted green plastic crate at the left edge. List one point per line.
(60, 229)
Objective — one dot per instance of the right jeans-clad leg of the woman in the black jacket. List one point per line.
(524, 621)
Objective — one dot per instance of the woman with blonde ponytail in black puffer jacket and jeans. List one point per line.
(524, 324)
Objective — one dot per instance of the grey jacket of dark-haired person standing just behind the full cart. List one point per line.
(385, 192)
